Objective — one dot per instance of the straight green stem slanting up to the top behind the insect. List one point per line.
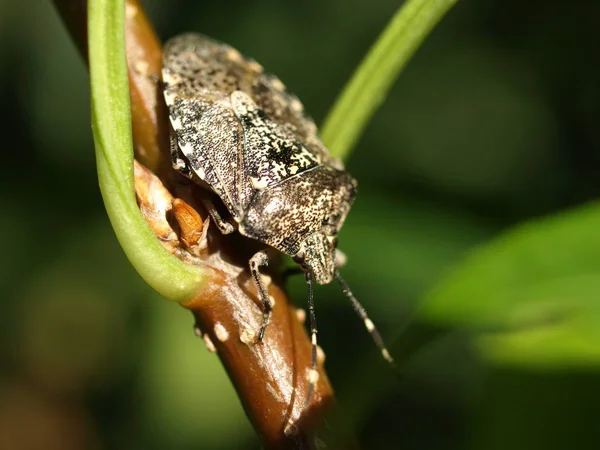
(376, 74)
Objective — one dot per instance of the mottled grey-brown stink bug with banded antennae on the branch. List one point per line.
(237, 132)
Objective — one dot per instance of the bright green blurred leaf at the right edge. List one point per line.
(532, 296)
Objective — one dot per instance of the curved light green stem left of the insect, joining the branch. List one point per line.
(111, 124)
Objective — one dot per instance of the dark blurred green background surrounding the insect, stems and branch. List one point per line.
(468, 244)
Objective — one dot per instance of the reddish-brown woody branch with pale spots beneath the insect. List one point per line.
(270, 377)
